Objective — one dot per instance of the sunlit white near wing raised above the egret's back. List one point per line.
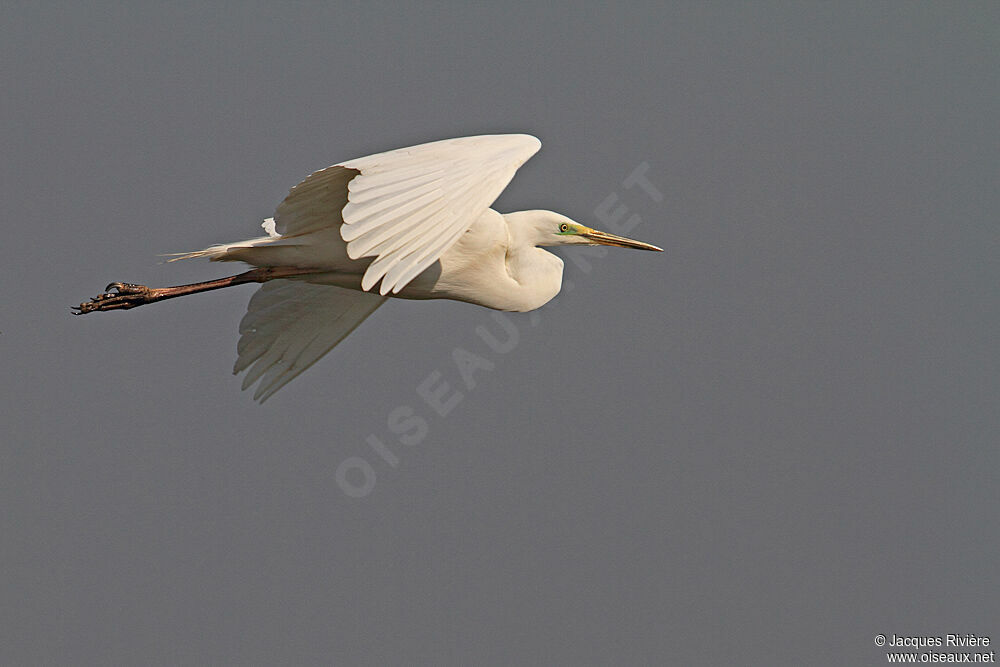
(406, 207)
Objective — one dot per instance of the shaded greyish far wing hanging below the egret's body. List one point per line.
(290, 324)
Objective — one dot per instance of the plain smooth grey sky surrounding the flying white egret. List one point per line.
(764, 446)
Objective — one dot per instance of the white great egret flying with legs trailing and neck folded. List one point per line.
(416, 220)
